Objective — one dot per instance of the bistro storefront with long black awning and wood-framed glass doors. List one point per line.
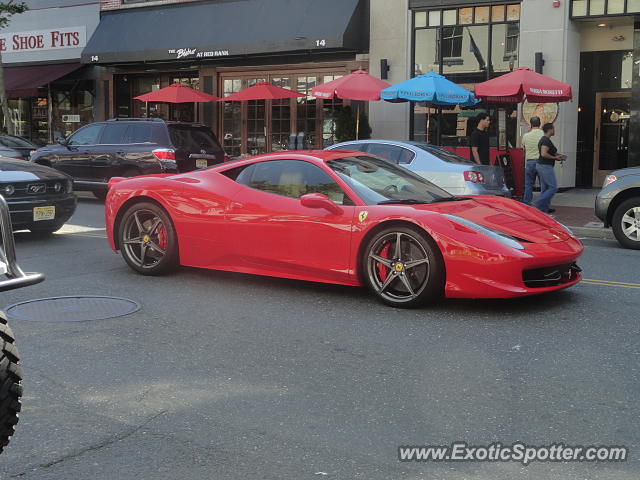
(294, 45)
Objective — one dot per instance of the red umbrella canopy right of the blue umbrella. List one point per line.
(523, 83)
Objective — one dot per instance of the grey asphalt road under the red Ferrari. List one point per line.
(229, 376)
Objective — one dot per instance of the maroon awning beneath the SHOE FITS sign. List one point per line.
(25, 81)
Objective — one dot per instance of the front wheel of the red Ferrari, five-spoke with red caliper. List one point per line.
(403, 267)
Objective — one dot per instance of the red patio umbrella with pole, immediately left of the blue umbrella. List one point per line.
(358, 85)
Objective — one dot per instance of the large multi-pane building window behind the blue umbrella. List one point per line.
(468, 45)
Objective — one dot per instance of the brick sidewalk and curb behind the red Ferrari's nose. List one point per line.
(575, 209)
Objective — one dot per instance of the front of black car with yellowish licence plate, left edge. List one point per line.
(40, 198)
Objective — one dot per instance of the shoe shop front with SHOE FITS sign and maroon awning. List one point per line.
(50, 92)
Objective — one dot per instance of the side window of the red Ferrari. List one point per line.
(291, 178)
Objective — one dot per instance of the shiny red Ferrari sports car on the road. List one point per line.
(340, 217)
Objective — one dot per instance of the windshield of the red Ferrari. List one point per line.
(375, 180)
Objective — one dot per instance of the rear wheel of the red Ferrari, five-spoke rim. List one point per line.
(148, 240)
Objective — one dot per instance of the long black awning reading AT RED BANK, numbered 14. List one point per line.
(206, 31)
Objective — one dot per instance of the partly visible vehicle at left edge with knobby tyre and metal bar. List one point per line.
(10, 369)
